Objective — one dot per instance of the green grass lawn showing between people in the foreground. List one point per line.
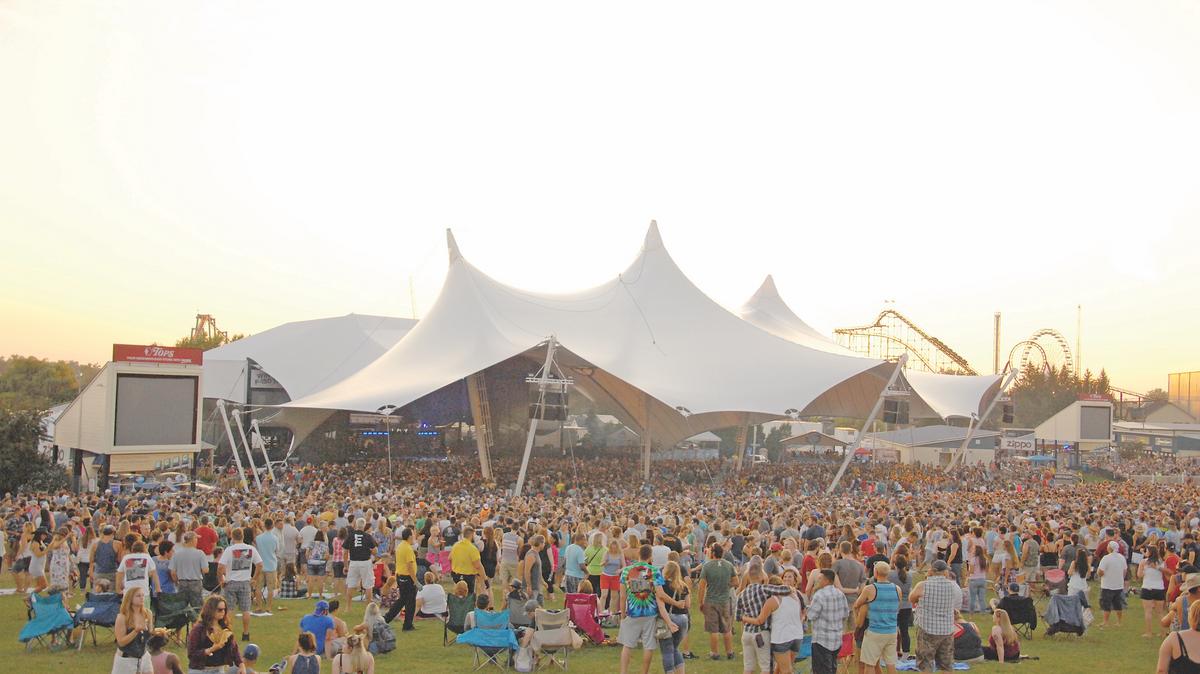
(1101, 651)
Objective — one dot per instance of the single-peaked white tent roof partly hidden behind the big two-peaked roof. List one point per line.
(941, 395)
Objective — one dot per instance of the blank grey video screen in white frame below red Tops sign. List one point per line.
(155, 411)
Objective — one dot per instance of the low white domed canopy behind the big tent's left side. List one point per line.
(304, 357)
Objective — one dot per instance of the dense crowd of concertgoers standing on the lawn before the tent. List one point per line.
(892, 567)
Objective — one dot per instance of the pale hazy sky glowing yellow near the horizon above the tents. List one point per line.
(278, 161)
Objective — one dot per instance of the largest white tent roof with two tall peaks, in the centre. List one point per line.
(647, 342)
